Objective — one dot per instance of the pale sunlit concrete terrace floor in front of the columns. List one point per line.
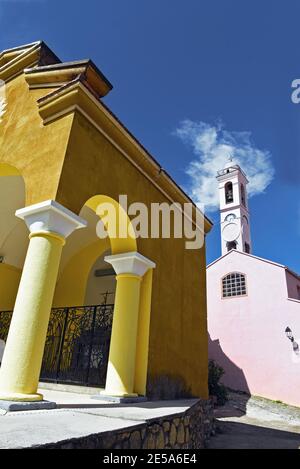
(78, 416)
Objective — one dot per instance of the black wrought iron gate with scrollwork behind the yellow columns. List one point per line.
(77, 345)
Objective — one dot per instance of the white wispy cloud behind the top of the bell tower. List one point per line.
(212, 146)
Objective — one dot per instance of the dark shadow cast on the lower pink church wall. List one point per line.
(234, 377)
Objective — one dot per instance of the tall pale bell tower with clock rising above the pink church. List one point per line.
(235, 221)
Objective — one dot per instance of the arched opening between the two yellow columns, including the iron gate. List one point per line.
(81, 319)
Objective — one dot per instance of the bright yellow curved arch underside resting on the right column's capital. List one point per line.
(115, 221)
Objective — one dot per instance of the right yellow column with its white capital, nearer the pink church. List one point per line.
(130, 268)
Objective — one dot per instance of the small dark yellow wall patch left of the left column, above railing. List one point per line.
(9, 283)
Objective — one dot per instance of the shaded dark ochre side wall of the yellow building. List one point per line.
(178, 330)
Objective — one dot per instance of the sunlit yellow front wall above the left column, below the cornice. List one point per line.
(37, 151)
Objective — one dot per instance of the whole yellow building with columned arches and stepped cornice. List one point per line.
(123, 313)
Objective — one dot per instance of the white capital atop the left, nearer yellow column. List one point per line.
(50, 217)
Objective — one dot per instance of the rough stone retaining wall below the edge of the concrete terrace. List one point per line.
(189, 430)
